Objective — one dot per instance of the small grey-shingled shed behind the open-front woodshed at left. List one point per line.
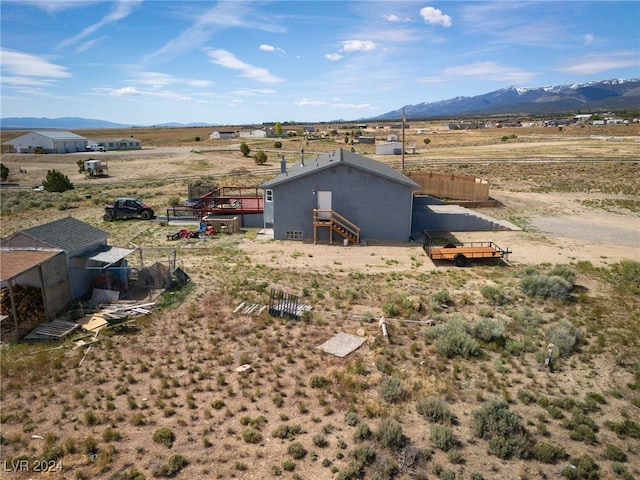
(85, 248)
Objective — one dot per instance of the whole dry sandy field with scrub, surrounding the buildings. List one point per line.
(467, 396)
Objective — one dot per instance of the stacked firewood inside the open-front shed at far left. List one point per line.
(29, 306)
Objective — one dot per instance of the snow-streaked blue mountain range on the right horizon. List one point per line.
(605, 95)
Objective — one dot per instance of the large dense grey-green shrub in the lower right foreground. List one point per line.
(507, 437)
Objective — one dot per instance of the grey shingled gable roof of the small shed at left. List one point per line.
(68, 233)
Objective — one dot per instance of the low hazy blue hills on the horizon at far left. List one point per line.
(33, 123)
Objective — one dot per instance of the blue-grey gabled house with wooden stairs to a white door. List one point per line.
(339, 187)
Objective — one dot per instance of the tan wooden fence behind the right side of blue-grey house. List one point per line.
(449, 186)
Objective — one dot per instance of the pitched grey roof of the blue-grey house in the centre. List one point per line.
(341, 157)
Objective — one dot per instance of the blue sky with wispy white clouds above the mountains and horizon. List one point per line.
(240, 62)
